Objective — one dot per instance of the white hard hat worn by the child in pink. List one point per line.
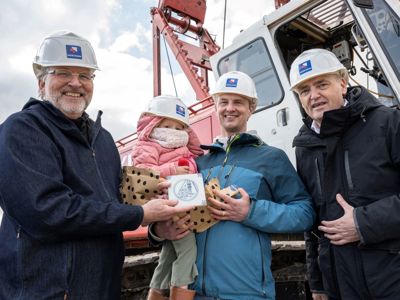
(168, 107)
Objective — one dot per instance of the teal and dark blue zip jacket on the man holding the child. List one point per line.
(234, 258)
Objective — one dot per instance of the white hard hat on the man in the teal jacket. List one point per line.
(235, 82)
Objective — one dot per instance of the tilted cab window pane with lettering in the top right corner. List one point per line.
(386, 25)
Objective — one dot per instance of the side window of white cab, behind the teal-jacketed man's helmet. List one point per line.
(254, 60)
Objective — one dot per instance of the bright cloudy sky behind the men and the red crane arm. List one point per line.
(120, 32)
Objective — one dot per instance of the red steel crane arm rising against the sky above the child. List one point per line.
(173, 19)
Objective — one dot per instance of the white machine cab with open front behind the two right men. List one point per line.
(364, 36)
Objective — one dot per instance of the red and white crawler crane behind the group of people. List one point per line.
(363, 34)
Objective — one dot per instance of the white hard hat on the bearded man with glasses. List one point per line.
(64, 48)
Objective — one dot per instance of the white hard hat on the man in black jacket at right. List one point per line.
(313, 63)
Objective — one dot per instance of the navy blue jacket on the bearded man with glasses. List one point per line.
(62, 223)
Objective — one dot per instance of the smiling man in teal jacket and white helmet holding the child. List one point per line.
(234, 256)
